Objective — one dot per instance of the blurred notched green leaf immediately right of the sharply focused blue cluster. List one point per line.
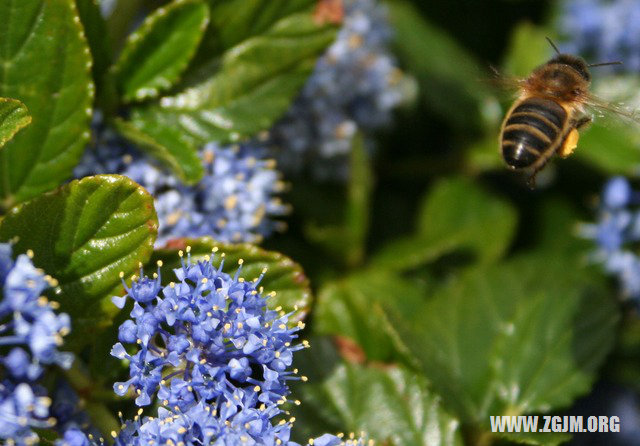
(353, 307)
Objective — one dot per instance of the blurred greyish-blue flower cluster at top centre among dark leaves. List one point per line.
(354, 86)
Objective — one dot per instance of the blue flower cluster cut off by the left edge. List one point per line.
(31, 332)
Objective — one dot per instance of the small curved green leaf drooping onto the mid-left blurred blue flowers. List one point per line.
(167, 145)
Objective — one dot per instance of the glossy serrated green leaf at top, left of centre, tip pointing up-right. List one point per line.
(158, 52)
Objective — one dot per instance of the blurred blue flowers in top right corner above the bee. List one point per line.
(603, 31)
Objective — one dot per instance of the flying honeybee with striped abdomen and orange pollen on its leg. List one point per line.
(549, 113)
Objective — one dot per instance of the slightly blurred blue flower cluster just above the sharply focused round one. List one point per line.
(234, 202)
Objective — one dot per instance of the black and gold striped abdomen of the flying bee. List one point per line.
(531, 132)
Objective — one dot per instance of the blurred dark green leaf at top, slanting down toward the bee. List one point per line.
(450, 79)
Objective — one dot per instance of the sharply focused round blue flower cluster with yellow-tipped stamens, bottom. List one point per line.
(206, 337)
